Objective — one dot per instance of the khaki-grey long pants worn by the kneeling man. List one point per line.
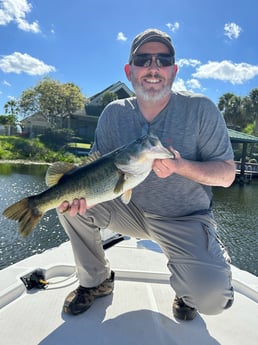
(199, 264)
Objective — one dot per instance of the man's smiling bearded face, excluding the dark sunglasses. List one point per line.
(151, 82)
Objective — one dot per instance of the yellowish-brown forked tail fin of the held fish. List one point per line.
(26, 215)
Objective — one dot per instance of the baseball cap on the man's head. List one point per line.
(151, 35)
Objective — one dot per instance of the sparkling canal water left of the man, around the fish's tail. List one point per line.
(16, 182)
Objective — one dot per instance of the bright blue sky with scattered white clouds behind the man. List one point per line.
(88, 42)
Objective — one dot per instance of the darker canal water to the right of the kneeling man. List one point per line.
(236, 211)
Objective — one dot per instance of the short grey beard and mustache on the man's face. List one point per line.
(151, 94)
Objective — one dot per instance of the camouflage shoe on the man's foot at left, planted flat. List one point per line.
(79, 300)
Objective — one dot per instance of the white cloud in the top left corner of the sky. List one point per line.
(16, 11)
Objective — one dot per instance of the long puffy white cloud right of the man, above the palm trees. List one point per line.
(227, 71)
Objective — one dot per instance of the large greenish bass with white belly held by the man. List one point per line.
(103, 178)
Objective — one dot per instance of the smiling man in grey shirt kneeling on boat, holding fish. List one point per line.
(173, 205)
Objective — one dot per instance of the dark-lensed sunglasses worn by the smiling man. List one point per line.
(145, 60)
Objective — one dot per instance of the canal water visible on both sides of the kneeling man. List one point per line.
(235, 209)
